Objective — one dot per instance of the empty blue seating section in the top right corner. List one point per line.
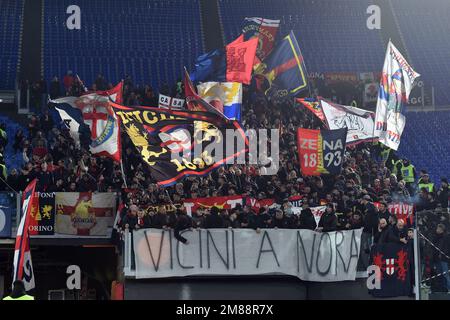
(426, 37)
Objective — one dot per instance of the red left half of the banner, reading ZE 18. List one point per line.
(308, 151)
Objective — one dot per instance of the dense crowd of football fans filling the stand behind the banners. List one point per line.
(50, 156)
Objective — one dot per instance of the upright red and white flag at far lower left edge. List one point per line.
(23, 267)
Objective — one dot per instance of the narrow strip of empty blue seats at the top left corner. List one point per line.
(10, 37)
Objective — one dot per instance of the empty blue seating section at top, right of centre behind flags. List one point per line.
(329, 38)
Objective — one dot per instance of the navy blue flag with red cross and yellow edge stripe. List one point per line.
(283, 72)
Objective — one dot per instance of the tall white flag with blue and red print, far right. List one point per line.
(395, 86)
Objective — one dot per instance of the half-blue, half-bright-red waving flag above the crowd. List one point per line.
(232, 64)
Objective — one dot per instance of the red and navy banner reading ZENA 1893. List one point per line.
(321, 151)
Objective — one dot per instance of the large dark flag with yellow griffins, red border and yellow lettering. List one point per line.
(176, 144)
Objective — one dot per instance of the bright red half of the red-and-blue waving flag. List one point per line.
(240, 57)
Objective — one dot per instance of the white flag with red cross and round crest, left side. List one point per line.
(91, 114)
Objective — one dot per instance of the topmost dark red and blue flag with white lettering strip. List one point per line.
(265, 30)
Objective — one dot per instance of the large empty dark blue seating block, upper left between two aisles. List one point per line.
(154, 52)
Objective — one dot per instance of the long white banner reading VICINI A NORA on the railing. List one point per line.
(306, 254)
